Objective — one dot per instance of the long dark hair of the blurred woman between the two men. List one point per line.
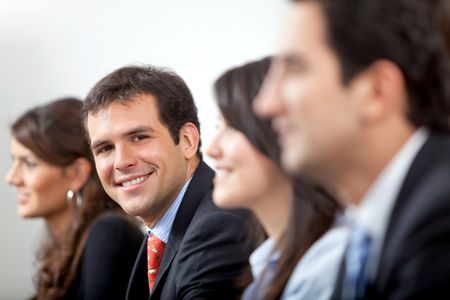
(313, 210)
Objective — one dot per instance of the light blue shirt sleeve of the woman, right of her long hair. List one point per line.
(315, 275)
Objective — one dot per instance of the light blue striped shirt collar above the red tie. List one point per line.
(164, 225)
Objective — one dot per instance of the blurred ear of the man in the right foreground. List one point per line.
(385, 91)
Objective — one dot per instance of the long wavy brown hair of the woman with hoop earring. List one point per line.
(53, 132)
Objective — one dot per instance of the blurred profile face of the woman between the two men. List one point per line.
(244, 176)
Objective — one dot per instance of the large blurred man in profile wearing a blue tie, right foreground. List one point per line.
(360, 97)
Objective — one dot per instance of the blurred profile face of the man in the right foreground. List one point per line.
(314, 113)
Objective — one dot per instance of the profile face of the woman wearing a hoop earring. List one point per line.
(41, 187)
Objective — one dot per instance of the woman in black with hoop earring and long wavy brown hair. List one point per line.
(90, 244)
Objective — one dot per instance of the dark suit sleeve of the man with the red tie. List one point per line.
(212, 255)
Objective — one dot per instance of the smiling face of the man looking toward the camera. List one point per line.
(138, 163)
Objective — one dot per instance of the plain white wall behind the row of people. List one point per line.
(50, 49)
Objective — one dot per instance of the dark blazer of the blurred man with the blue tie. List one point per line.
(415, 258)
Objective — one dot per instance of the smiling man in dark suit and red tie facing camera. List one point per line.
(144, 134)
